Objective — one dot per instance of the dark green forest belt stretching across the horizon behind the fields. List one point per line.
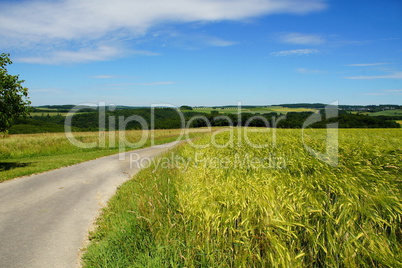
(52, 118)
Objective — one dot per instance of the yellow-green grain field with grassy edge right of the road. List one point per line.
(277, 206)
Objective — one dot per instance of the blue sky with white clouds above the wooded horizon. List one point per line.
(205, 52)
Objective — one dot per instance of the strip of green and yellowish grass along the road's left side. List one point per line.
(27, 154)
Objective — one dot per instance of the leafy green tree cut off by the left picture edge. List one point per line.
(14, 100)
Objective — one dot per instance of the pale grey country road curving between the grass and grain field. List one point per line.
(44, 218)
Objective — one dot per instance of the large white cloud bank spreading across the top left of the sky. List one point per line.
(54, 26)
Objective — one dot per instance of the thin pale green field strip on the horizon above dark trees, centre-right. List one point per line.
(260, 110)
